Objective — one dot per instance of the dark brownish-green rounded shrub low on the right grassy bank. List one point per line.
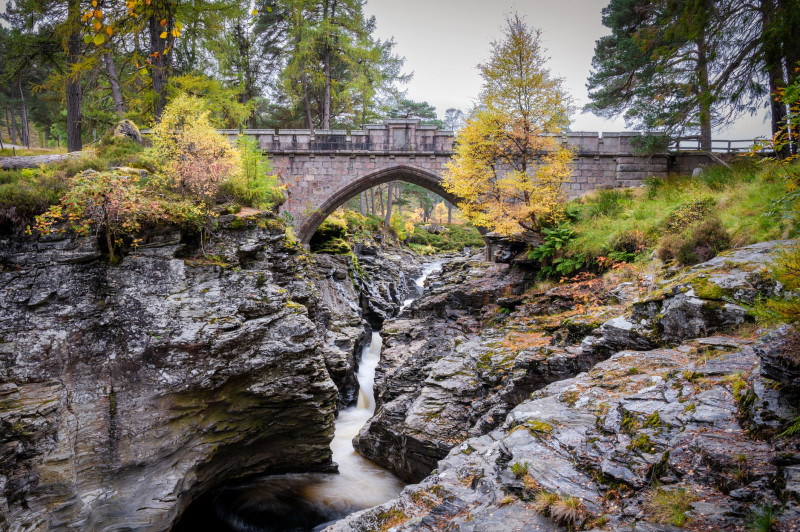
(699, 243)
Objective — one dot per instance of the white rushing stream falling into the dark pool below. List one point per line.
(302, 502)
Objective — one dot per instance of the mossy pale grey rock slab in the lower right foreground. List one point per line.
(604, 437)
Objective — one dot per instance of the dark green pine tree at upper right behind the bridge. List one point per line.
(659, 66)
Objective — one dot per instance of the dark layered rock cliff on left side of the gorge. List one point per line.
(127, 390)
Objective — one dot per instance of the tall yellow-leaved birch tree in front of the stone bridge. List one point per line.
(509, 166)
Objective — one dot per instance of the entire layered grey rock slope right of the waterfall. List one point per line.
(655, 401)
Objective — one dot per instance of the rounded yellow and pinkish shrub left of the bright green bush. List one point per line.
(191, 156)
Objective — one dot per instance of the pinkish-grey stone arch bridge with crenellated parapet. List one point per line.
(324, 169)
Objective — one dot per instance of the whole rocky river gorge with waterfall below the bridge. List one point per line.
(272, 389)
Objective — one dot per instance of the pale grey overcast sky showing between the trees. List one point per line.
(444, 40)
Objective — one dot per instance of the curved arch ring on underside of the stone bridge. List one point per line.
(401, 172)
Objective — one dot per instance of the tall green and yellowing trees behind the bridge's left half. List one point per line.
(72, 69)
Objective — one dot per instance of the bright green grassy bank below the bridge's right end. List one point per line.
(741, 198)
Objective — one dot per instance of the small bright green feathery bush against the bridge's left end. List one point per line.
(255, 185)
